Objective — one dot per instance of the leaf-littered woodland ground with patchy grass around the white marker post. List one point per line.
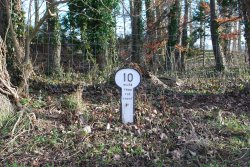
(199, 122)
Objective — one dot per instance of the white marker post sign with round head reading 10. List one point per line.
(127, 79)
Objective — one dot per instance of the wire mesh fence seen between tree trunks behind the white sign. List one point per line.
(76, 55)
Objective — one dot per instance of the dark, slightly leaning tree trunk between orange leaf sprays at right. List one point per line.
(219, 57)
